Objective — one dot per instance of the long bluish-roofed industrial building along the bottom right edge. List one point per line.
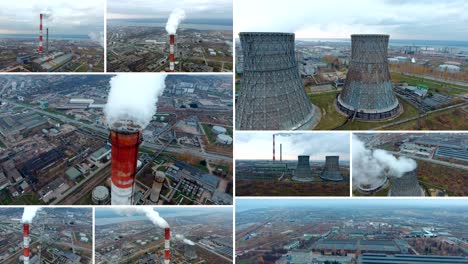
(409, 259)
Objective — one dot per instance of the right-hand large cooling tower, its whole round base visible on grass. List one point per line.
(368, 91)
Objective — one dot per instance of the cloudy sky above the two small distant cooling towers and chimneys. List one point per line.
(259, 145)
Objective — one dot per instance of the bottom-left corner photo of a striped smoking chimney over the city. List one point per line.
(46, 235)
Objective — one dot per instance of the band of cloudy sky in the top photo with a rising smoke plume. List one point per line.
(125, 9)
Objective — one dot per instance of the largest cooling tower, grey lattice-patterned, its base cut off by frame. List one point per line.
(272, 95)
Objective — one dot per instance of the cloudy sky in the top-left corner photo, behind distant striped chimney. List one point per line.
(66, 17)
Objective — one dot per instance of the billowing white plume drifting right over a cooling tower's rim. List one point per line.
(371, 166)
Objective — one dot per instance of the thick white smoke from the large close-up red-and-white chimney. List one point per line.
(133, 97)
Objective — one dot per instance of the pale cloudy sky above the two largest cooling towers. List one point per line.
(402, 19)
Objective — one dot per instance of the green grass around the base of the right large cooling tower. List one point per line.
(332, 119)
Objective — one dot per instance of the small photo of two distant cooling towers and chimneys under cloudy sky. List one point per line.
(302, 164)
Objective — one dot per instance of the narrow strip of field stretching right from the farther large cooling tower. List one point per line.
(436, 86)
